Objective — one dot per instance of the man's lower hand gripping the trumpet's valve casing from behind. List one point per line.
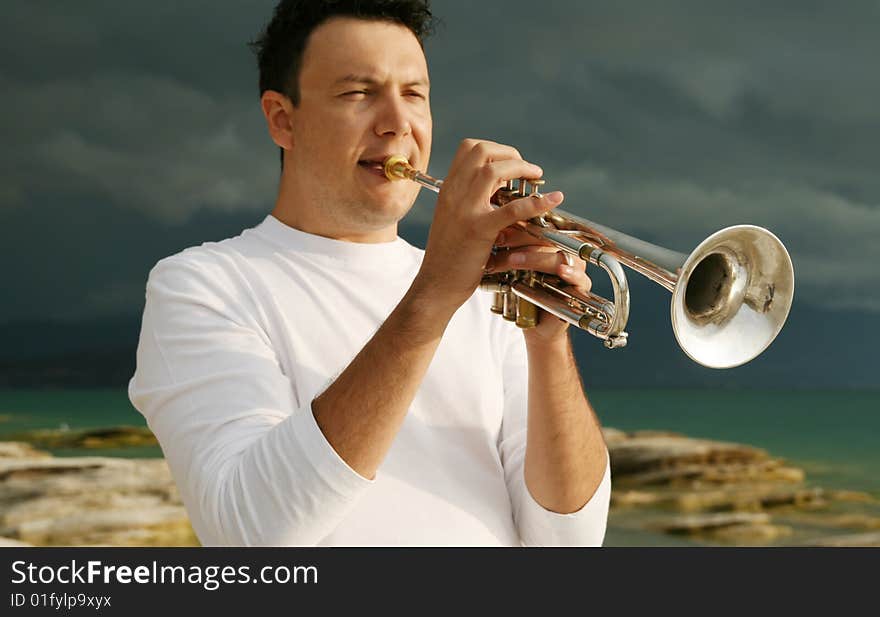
(519, 250)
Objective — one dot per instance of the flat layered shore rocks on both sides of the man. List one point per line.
(703, 491)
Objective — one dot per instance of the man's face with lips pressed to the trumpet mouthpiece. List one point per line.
(364, 96)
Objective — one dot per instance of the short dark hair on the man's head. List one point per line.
(280, 47)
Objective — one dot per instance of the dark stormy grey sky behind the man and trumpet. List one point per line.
(133, 131)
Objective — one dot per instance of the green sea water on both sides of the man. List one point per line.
(834, 436)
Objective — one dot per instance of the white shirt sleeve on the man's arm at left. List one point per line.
(251, 466)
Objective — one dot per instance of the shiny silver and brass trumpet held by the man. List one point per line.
(730, 296)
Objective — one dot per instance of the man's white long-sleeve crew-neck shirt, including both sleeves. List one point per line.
(238, 338)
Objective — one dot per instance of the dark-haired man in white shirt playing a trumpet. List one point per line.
(317, 380)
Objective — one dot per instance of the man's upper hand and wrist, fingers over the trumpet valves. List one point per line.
(466, 225)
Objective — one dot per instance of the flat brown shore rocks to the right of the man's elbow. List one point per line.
(719, 493)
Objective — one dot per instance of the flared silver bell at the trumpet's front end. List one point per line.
(732, 297)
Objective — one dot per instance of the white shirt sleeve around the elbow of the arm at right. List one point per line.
(538, 526)
